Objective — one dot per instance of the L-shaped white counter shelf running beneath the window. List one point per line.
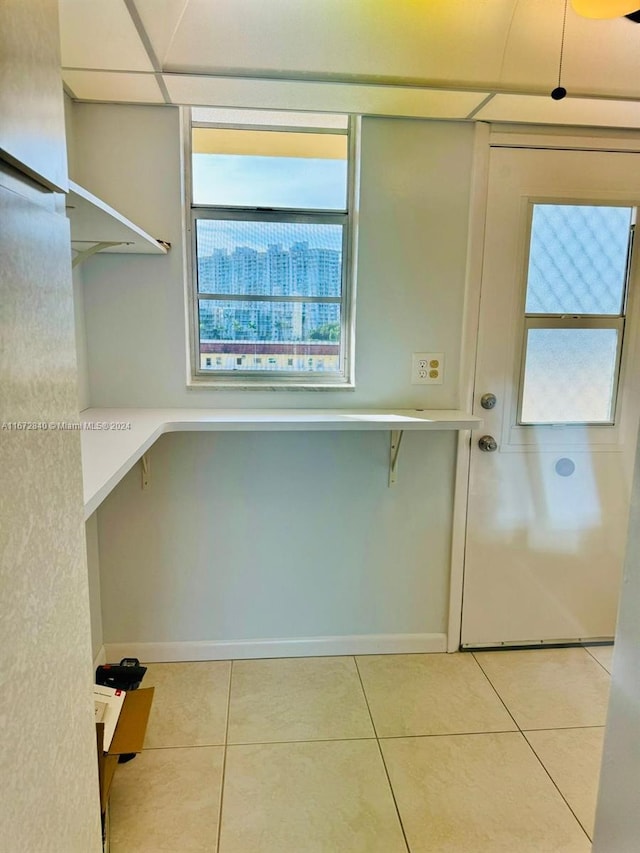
(108, 453)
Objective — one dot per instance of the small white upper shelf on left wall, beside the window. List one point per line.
(97, 227)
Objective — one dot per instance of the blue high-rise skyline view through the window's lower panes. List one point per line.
(296, 268)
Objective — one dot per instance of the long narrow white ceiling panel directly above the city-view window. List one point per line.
(321, 97)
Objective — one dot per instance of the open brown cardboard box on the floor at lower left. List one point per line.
(128, 737)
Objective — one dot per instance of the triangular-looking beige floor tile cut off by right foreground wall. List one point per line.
(572, 758)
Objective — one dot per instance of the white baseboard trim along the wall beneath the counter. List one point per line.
(357, 644)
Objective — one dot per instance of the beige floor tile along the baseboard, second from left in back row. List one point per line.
(297, 699)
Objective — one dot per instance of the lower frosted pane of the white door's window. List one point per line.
(569, 376)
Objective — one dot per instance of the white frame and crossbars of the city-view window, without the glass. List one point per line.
(264, 378)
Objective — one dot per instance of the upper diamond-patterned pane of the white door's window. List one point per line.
(577, 260)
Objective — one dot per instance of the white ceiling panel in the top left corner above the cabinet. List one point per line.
(100, 35)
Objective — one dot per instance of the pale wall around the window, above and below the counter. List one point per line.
(291, 535)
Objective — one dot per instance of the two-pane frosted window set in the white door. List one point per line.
(575, 305)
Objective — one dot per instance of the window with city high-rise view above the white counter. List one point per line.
(271, 242)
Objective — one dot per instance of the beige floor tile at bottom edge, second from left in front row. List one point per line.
(328, 797)
